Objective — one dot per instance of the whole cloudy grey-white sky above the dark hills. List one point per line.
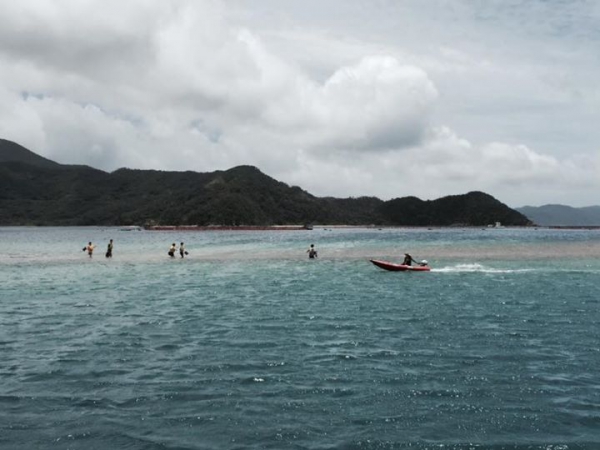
(343, 98)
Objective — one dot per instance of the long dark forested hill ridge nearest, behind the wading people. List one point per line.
(37, 191)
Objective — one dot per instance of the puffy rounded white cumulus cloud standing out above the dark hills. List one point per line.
(374, 104)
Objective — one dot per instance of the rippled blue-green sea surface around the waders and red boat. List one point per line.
(248, 344)
